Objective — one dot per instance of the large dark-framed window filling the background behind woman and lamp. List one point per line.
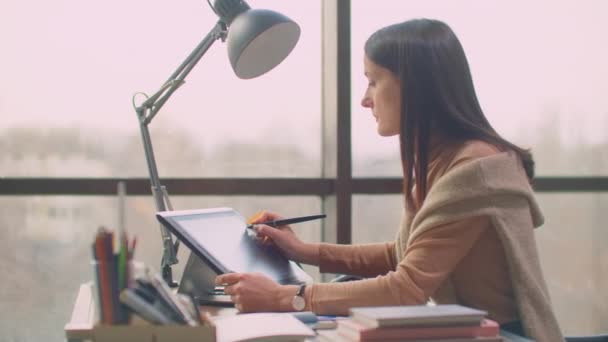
(280, 142)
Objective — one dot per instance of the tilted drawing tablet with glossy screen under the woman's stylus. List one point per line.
(219, 237)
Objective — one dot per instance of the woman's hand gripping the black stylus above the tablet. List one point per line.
(285, 239)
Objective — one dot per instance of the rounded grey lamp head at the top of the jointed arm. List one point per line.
(258, 40)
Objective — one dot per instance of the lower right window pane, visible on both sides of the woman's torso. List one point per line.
(571, 243)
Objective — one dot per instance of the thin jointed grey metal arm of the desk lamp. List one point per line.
(145, 113)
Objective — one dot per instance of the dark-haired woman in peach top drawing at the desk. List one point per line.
(467, 233)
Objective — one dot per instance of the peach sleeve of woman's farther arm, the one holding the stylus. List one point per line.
(366, 260)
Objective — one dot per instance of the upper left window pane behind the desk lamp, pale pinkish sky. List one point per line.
(72, 68)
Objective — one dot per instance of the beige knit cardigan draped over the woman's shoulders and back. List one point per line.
(495, 186)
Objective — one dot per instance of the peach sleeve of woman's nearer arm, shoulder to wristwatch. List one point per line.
(431, 257)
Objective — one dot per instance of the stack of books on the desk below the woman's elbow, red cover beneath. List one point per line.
(445, 323)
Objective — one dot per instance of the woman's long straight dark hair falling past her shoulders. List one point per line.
(437, 95)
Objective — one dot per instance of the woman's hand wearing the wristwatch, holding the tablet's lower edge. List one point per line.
(255, 292)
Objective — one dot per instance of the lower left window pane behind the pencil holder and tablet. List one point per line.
(45, 250)
